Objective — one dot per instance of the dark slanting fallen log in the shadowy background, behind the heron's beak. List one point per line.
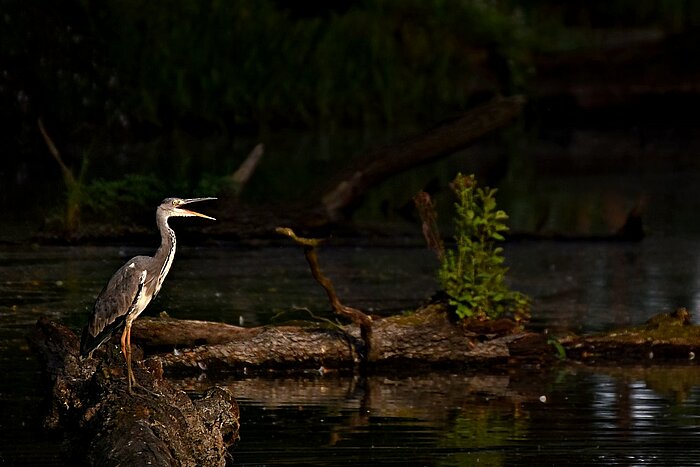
(336, 198)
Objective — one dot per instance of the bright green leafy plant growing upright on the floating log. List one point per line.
(473, 274)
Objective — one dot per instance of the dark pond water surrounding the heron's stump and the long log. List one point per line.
(562, 415)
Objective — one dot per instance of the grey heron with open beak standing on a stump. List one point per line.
(134, 285)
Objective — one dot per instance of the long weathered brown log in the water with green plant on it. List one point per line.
(426, 337)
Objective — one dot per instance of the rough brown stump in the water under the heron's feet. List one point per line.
(106, 425)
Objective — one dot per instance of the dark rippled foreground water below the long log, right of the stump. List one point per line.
(565, 416)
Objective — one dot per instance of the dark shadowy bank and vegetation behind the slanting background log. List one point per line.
(147, 100)
